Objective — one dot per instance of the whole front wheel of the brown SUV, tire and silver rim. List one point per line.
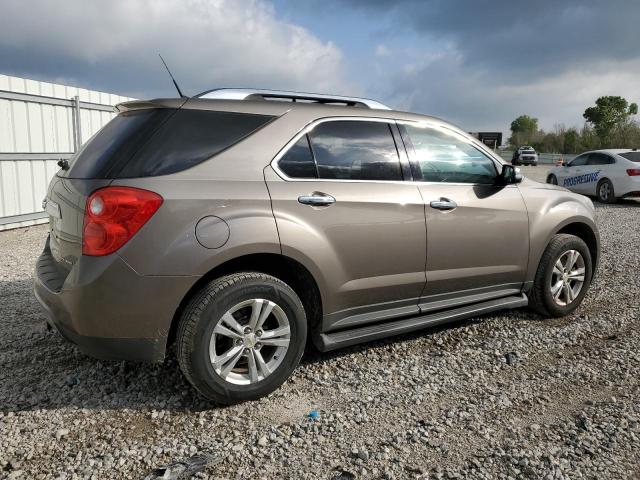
(563, 276)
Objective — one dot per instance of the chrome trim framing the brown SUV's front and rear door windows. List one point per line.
(427, 123)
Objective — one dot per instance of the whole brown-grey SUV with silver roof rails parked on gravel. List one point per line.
(238, 224)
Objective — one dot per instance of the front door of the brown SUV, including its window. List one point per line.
(477, 230)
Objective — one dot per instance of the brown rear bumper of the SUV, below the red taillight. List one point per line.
(107, 309)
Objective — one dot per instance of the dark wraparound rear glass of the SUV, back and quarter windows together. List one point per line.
(153, 142)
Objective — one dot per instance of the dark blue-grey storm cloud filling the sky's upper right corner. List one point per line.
(522, 38)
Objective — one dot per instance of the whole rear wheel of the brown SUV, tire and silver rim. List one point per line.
(197, 341)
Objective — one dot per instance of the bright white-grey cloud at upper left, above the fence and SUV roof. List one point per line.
(112, 45)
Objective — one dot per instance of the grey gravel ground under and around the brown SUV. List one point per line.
(509, 395)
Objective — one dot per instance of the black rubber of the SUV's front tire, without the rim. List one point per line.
(573, 243)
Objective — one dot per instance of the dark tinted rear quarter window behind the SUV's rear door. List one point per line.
(188, 138)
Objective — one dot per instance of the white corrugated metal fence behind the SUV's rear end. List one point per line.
(41, 123)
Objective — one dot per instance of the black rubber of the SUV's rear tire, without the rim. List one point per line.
(204, 376)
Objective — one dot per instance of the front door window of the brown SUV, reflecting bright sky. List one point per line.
(437, 156)
